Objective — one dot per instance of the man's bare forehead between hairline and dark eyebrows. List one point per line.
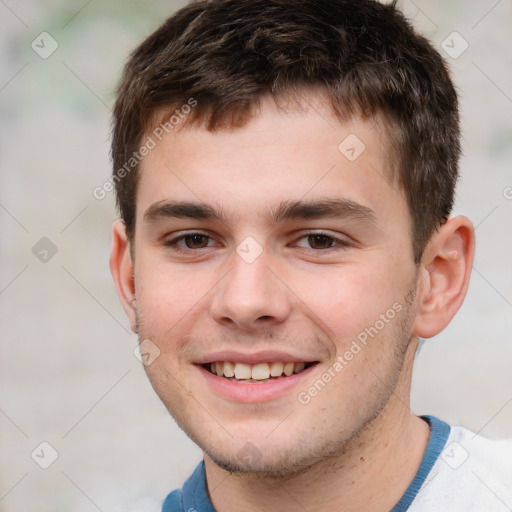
(280, 154)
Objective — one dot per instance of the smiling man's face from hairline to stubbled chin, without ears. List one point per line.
(274, 273)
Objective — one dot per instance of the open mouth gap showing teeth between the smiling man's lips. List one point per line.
(261, 372)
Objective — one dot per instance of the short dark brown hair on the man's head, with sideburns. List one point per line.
(229, 54)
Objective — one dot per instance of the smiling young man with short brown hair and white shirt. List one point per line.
(285, 171)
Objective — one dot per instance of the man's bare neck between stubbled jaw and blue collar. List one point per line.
(372, 473)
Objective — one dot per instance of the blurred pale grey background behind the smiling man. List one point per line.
(68, 375)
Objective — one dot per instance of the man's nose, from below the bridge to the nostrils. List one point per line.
(251, 296)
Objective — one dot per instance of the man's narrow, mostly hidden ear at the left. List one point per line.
(122, 269)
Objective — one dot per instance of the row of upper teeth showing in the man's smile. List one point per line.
(260, 371)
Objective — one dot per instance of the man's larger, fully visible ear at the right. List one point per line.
(445, 271)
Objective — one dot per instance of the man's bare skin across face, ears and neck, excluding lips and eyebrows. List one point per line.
(355, 445)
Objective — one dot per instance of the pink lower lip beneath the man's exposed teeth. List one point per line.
(253, 392)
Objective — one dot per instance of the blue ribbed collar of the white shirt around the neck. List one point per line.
(194, 495)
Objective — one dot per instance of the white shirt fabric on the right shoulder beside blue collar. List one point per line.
(472, 473)
